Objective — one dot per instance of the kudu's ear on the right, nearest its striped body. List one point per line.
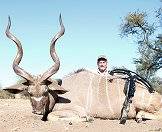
(54, 86)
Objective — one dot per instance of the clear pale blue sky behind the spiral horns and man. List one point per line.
(92, 28)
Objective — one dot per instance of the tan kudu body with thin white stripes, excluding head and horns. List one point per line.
(92, 95)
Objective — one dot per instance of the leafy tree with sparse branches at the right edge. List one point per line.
(149, 46)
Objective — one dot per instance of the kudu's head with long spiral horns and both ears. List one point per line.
(42, 97)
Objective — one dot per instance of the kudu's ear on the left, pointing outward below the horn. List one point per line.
(17, 88)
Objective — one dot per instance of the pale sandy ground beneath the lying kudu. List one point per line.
(16, 116)
